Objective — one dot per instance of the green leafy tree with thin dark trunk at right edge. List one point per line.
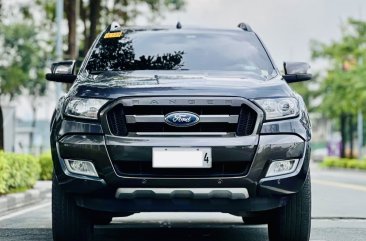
(343, 90)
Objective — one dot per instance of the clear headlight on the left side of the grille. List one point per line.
(84, 108)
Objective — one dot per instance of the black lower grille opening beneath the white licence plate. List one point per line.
(145, 169)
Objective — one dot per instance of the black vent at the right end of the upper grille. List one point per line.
(247, 120)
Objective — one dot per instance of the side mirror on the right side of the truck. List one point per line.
(296, 72)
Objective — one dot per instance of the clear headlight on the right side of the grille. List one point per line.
(279, 108)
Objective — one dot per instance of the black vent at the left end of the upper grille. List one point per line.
(117, 121)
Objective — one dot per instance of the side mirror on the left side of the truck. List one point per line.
(63, 72)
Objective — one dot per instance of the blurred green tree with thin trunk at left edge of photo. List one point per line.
(25, 46)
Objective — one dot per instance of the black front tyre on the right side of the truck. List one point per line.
(293, 221)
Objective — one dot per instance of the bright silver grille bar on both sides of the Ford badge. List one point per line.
(130, 119)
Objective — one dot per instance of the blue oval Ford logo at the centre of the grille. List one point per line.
(182, 119)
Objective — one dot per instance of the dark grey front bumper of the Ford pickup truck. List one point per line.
(86, 141)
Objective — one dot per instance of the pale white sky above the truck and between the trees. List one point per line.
(285, 26)
